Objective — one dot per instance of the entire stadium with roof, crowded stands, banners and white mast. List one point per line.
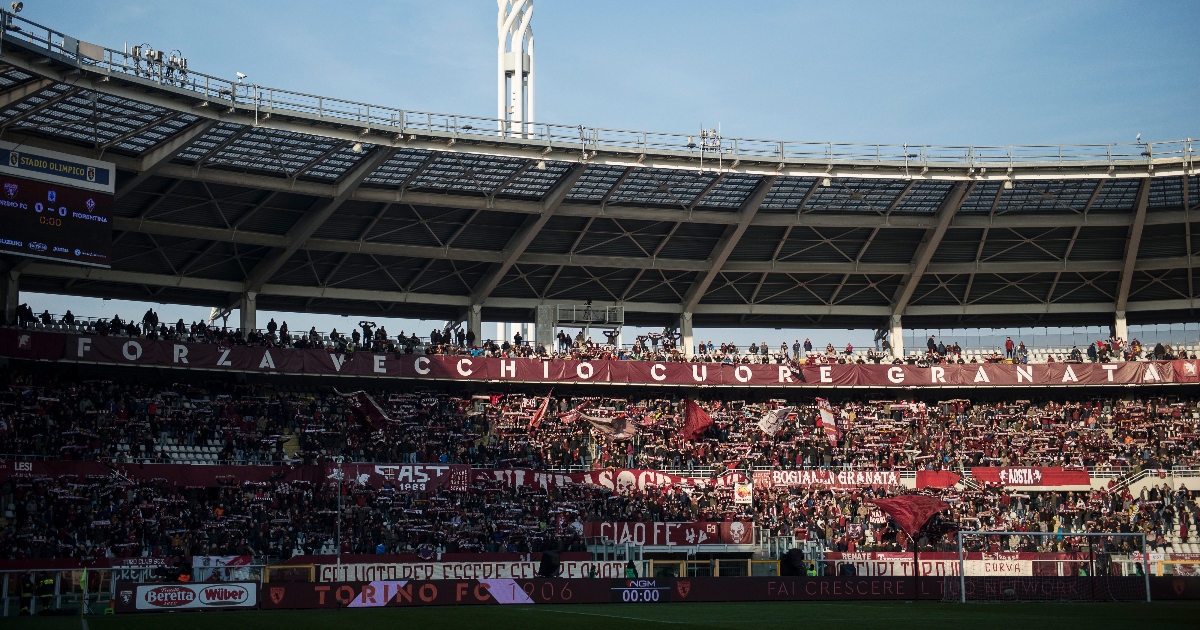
(260, 475)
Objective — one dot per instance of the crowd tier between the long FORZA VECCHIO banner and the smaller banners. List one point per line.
(137, 422)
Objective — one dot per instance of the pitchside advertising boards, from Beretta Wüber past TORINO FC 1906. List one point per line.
(399, 593)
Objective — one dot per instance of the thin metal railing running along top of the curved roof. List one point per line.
(145, 65)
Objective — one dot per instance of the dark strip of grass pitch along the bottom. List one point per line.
(759, 616)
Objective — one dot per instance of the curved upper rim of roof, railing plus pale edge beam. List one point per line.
(165, 82)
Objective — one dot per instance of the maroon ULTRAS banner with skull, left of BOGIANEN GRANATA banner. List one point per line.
(622, 481)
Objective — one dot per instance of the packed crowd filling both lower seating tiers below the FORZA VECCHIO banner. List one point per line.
(118, 422)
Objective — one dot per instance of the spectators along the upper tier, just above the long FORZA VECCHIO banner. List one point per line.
(652, 347)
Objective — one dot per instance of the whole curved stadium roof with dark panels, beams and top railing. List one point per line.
(329, 206)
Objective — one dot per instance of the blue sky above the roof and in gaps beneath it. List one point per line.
(952, 74)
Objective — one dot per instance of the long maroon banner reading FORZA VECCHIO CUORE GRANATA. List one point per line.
(124, 351)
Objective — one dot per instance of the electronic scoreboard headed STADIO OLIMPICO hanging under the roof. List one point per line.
(56, 206)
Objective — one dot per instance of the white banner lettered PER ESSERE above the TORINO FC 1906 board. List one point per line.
(463, 571)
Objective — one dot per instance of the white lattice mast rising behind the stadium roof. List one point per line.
(515, 68)
